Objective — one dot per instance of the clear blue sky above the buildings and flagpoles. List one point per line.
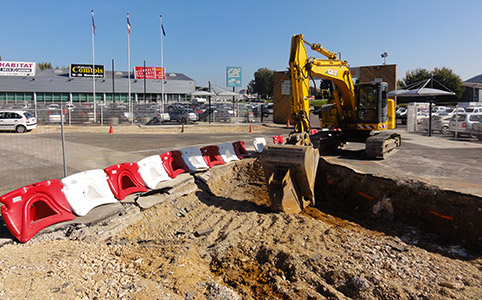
(204, 37)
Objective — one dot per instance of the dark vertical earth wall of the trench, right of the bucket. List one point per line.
(396, 206)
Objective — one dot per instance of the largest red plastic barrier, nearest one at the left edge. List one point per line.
(29, 209)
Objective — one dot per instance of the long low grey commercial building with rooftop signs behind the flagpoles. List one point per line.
(24, 83)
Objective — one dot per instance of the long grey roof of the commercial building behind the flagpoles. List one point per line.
(58, 81)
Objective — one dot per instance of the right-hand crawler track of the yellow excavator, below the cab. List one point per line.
(382, 144)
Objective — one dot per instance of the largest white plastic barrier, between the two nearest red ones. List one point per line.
(86, 190)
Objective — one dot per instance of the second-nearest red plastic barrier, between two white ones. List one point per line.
(125, 179)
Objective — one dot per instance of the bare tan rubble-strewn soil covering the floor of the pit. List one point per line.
(222, 242)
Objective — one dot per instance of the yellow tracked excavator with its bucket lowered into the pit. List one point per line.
(353, 113)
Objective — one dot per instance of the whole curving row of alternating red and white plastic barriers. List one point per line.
(29, 209)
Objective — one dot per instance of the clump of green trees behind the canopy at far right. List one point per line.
(444, 76)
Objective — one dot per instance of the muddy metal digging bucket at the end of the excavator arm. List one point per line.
(290, 173)
